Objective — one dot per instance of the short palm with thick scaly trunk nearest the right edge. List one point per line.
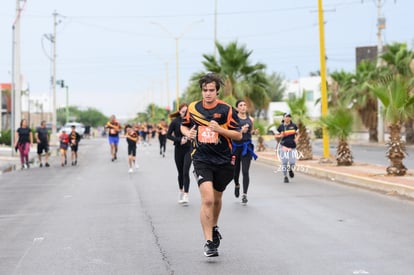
(398, 106)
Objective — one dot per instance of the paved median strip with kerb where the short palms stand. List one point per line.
(369, 176)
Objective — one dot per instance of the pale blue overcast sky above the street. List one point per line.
(118, 56)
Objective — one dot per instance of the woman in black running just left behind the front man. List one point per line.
(182, 147)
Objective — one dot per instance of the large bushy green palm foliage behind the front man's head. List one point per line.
(241, 79)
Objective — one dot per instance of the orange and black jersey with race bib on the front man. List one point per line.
(210, 147)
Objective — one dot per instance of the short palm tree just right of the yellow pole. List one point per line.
(339, 124)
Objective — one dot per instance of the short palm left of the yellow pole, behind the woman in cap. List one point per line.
(299, 110)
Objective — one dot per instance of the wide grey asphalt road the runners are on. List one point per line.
(96, 218)
